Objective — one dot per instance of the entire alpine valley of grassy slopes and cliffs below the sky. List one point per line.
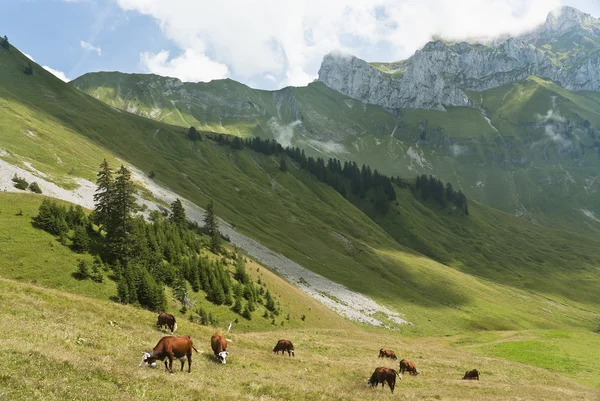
(507, 284)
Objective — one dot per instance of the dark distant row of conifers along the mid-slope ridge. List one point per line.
(351, 181)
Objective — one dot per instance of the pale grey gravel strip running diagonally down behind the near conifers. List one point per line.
(347, 303)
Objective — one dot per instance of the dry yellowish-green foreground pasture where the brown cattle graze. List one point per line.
(74, 352)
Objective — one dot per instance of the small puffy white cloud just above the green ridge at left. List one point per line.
(190, 66)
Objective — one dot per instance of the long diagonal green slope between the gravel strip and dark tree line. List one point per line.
(310, 223)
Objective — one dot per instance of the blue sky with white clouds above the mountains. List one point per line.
(265, 44)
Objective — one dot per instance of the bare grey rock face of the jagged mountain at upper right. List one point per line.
(439, 74)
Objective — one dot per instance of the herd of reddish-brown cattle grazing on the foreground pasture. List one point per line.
(180, 347)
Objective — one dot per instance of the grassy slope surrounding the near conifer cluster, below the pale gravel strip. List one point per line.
(31, 255)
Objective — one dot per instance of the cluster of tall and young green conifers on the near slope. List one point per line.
(147, 255)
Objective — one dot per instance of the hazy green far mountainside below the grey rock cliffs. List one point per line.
(502, 155)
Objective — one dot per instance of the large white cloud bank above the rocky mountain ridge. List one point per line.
(287, 39)
